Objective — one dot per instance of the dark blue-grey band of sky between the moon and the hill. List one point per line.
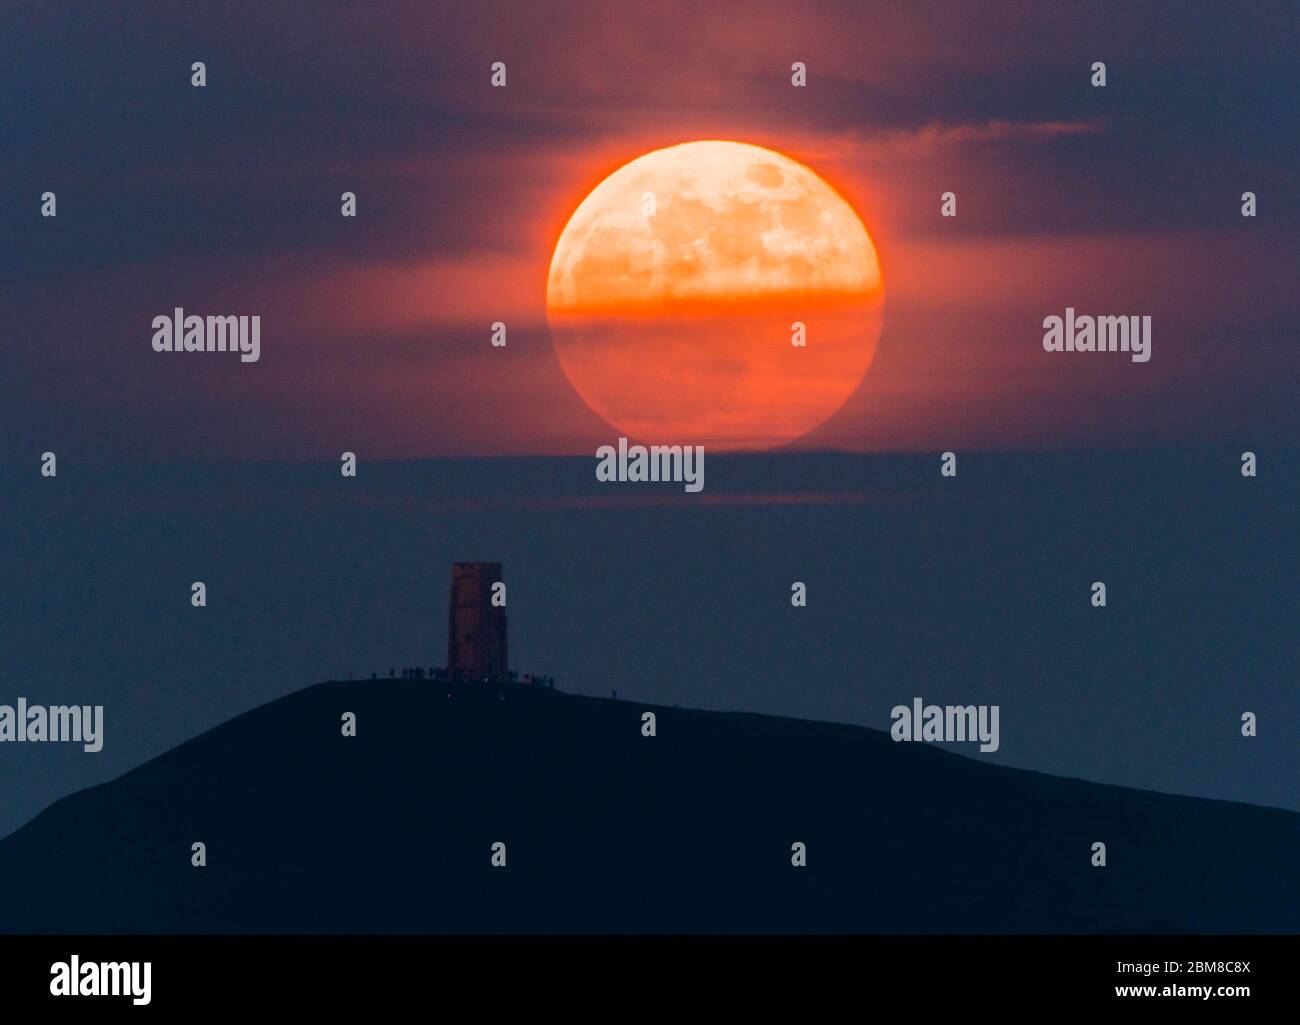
(964, 590)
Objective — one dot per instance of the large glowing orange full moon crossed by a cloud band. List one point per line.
(682, 286)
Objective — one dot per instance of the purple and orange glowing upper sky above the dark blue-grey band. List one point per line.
(1124, 200)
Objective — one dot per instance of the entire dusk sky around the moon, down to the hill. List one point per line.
(1074, 468)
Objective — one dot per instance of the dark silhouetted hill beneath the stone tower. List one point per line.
(608, 831)
